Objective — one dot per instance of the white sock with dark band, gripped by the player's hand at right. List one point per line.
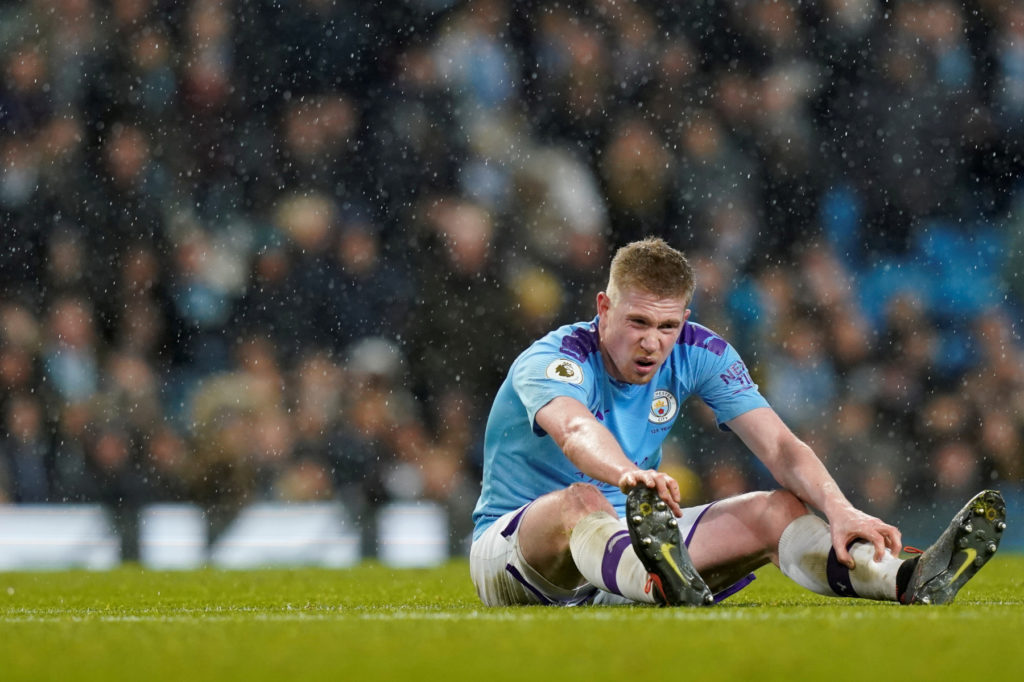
(805, 556)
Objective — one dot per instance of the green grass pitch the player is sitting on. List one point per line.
(373, 623)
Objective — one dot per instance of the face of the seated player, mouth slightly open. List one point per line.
(638, 331)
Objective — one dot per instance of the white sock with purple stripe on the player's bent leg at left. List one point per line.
(604, 553)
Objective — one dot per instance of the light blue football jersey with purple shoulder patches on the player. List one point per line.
(522, 462)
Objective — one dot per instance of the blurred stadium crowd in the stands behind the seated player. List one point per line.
(268, 250)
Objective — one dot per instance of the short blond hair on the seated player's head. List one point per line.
(653, 267)
